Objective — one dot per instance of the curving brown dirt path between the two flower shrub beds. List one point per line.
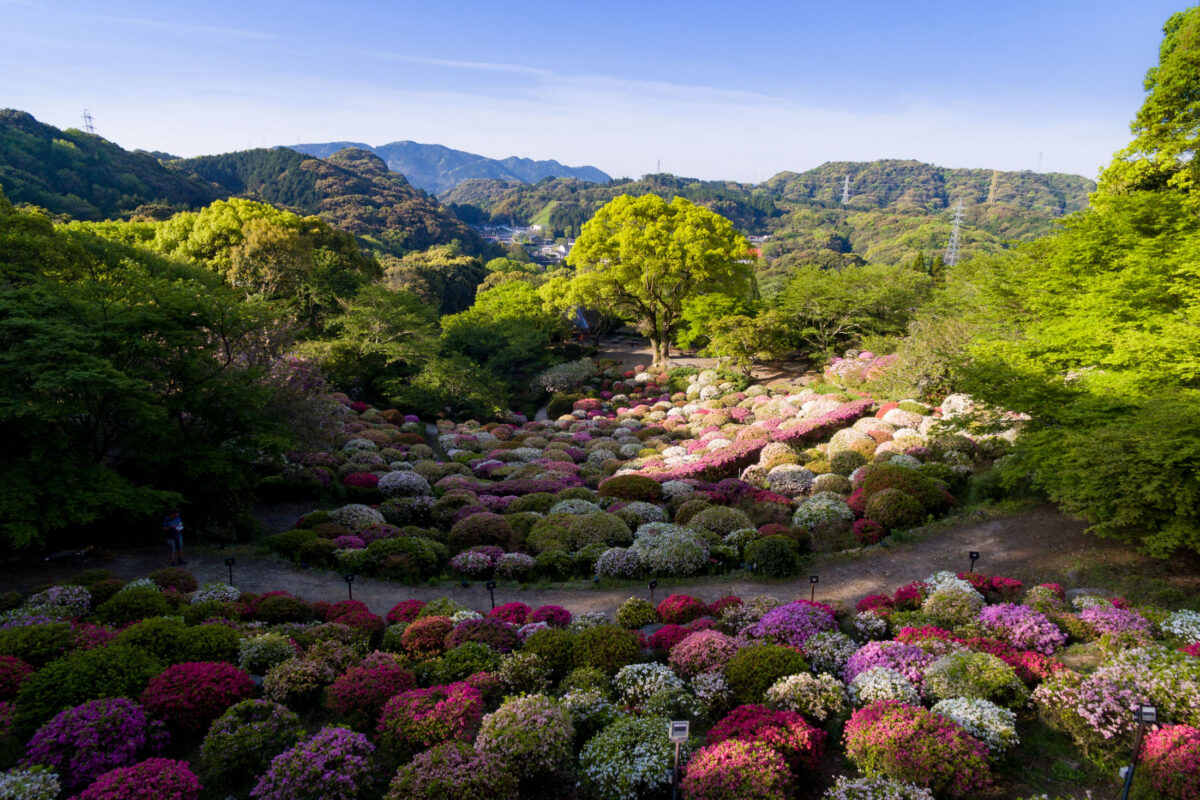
(1039, 545)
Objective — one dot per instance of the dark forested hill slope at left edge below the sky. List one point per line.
(85, 176)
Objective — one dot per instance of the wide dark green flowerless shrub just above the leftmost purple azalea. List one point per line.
(113, 671)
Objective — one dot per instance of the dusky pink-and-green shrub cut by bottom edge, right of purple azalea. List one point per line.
(453, 771)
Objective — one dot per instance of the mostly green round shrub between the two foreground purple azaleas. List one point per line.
(242, 743)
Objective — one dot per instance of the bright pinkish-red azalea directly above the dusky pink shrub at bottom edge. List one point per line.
(424, 718)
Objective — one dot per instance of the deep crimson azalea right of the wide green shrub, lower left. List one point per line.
(190, 696)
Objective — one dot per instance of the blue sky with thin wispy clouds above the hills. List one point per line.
(713, 91)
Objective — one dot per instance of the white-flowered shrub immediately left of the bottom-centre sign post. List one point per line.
(631, 760)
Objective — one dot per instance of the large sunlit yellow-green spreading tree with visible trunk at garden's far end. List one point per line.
(641, 258)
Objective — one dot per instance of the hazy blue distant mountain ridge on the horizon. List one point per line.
(437, 169)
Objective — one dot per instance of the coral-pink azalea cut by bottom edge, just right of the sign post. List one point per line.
(737, 769)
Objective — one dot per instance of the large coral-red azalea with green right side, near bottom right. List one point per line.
(915, 745)
